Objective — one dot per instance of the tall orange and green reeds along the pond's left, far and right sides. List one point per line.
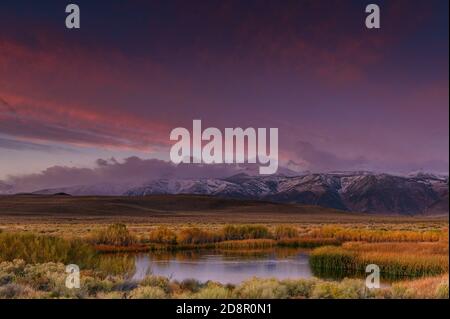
(398, 253)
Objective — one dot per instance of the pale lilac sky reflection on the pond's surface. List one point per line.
(224, 269)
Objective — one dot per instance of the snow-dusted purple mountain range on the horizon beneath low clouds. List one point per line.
(373, 193)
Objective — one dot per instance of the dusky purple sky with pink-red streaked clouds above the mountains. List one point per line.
(108, 94)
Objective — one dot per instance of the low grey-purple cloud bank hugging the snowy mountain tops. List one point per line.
(135, 171)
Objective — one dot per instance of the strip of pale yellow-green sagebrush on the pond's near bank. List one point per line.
(21, 280)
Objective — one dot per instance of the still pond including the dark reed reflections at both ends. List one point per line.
(224, 266)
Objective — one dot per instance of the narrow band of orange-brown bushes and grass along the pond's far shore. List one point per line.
(117, 237)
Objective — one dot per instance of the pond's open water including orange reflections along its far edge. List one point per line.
(224, 266)
